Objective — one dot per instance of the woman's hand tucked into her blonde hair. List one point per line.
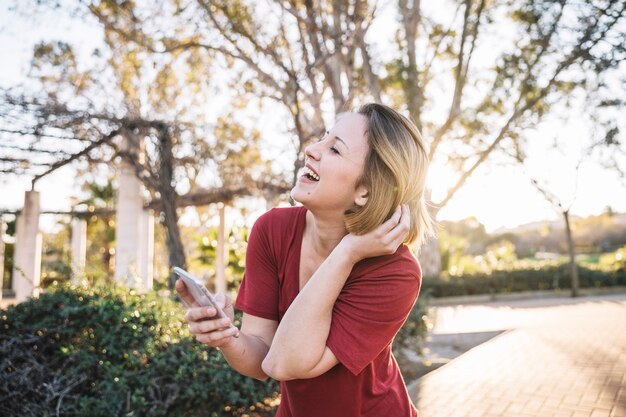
(384, 240)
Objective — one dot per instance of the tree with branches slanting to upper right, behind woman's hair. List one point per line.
(557, 46)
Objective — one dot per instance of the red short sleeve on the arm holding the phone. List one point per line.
(258, 293)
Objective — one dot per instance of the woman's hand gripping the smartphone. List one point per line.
(202, 322)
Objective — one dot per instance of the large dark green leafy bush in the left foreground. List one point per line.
(112, 352)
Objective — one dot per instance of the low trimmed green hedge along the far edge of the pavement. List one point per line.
(502, 281)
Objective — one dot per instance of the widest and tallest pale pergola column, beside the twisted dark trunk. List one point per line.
(128, 227)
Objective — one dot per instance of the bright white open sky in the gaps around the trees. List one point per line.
(498, 196)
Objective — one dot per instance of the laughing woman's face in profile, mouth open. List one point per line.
(333, 166)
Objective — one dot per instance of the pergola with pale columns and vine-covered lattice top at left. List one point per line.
(32, 122)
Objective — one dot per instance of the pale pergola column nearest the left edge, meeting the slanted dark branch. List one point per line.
(27, 266)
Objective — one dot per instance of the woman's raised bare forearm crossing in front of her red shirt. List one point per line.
(300, 339)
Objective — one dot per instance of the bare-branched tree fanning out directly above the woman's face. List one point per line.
(263, 56)
